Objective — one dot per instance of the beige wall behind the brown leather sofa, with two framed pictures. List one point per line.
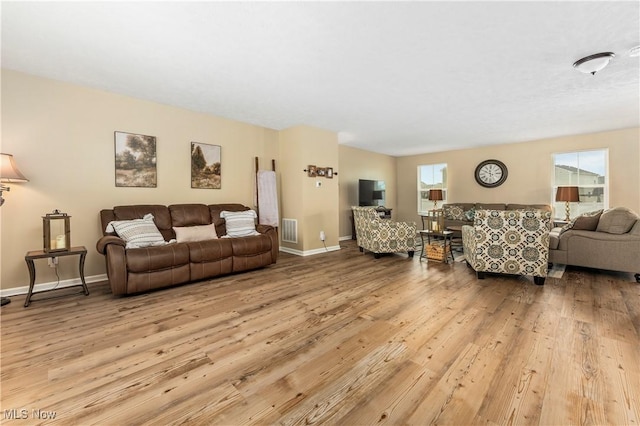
(61, 136)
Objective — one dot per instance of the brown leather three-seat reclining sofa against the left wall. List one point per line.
(137, 270)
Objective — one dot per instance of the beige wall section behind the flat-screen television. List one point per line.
(357, 164)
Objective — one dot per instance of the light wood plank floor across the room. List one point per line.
(336, 338)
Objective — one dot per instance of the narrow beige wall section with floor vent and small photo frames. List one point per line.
(315, 207)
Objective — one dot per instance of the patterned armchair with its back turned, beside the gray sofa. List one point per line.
(508, 242)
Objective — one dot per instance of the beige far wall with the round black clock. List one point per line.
(530, 167)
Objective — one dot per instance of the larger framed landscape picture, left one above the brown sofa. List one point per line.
(135, 160)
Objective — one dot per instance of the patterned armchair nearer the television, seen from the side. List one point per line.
(383, 235)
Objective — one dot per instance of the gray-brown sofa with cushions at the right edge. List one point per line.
(603, 240)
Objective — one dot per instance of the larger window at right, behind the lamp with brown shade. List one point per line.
(588, 171)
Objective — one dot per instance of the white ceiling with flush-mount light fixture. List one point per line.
(398, 78)
